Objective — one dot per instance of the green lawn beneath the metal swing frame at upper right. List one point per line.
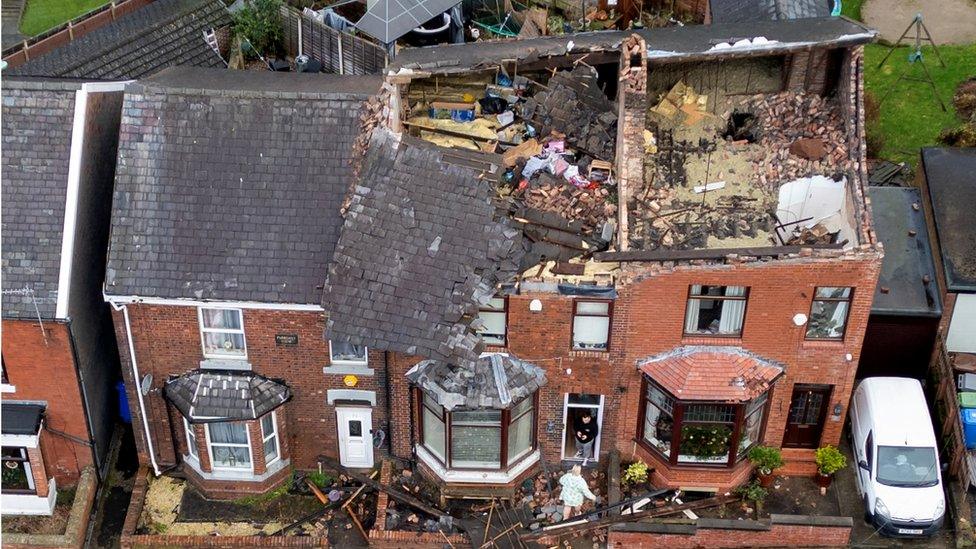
(911, 116)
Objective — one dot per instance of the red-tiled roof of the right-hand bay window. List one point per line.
(724, 374)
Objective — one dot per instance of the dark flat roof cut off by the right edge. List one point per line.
(950, 174)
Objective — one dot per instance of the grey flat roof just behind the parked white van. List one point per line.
(901, 289)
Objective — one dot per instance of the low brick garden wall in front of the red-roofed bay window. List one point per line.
(706, 533)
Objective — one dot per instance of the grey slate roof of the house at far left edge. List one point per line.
(36, 132)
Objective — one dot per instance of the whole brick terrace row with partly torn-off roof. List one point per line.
(664, 230)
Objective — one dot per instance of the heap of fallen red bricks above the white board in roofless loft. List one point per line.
(800, 135)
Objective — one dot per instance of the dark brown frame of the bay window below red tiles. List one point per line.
(735, 453)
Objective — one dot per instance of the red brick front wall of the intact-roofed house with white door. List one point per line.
(167, 342)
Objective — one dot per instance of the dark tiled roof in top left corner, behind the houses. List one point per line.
(164, 33)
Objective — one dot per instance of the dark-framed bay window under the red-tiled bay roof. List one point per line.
(685, 432)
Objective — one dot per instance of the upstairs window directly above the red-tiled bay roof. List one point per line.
(716, 310)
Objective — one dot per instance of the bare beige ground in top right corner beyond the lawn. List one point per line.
(949, 21)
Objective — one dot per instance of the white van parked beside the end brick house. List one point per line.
(897, 469)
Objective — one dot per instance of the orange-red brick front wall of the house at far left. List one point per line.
(45, 371)
